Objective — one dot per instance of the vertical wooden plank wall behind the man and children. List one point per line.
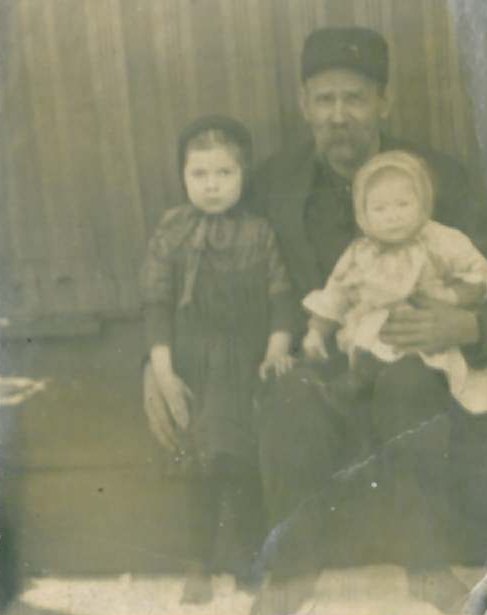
(94, 93)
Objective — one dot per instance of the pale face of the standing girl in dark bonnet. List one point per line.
(213, 179)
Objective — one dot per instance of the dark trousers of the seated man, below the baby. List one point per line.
(358, 484)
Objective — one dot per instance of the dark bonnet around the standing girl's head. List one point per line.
(233, 129)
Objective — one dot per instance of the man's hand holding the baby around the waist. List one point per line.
(431, 327)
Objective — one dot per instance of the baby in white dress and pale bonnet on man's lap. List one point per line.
(402, 255)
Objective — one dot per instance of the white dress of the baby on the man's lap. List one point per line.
(371, 278)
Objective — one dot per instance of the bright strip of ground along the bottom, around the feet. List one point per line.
(379, 590)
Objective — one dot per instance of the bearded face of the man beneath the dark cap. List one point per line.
(344, 110)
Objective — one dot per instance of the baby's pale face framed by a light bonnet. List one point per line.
(393, 209)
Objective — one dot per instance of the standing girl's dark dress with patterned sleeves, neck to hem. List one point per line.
(218, 289)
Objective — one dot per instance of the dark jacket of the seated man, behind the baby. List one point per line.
(282, 187)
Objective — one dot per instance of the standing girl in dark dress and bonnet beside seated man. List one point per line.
(218, 311)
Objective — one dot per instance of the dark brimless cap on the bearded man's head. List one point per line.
(358, 49)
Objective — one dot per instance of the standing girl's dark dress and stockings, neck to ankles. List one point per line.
(215, 288)
